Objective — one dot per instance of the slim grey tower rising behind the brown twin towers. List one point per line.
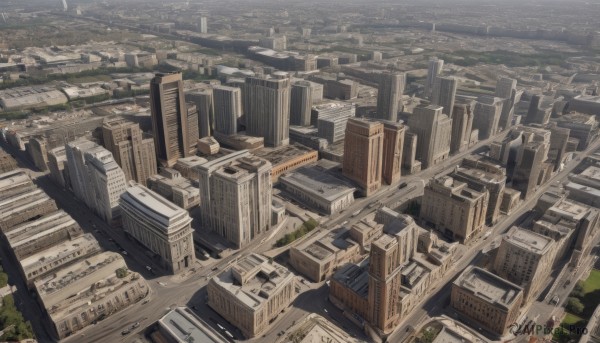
(389, 95)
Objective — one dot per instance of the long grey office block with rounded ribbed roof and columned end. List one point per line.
(159, 225)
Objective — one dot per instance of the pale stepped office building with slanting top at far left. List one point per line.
(96, 178)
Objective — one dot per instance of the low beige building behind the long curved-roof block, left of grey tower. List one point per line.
(170, 184)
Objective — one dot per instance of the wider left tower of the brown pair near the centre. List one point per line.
(363, 154)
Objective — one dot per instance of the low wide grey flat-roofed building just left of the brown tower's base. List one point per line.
(318, 189)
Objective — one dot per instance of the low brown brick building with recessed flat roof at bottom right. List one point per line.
(488, 300)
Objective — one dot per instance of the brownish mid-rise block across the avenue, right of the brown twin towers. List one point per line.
(454, 209)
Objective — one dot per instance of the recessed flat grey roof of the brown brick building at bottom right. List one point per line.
(488, 287)
